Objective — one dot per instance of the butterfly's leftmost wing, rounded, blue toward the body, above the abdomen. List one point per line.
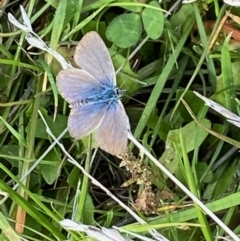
(77, 84)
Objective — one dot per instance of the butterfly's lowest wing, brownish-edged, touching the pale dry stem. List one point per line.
(112, 133)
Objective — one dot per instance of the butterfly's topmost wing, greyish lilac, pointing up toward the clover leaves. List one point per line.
(92, 55)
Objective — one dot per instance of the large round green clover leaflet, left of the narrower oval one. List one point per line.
(125, 30)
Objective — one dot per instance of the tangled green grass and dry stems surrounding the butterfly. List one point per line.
(180, 179)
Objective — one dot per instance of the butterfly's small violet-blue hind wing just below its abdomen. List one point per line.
(83, 120)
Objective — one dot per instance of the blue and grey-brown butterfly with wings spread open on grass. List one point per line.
(94, 99)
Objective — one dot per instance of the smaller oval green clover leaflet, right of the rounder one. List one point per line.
(153, 21)
